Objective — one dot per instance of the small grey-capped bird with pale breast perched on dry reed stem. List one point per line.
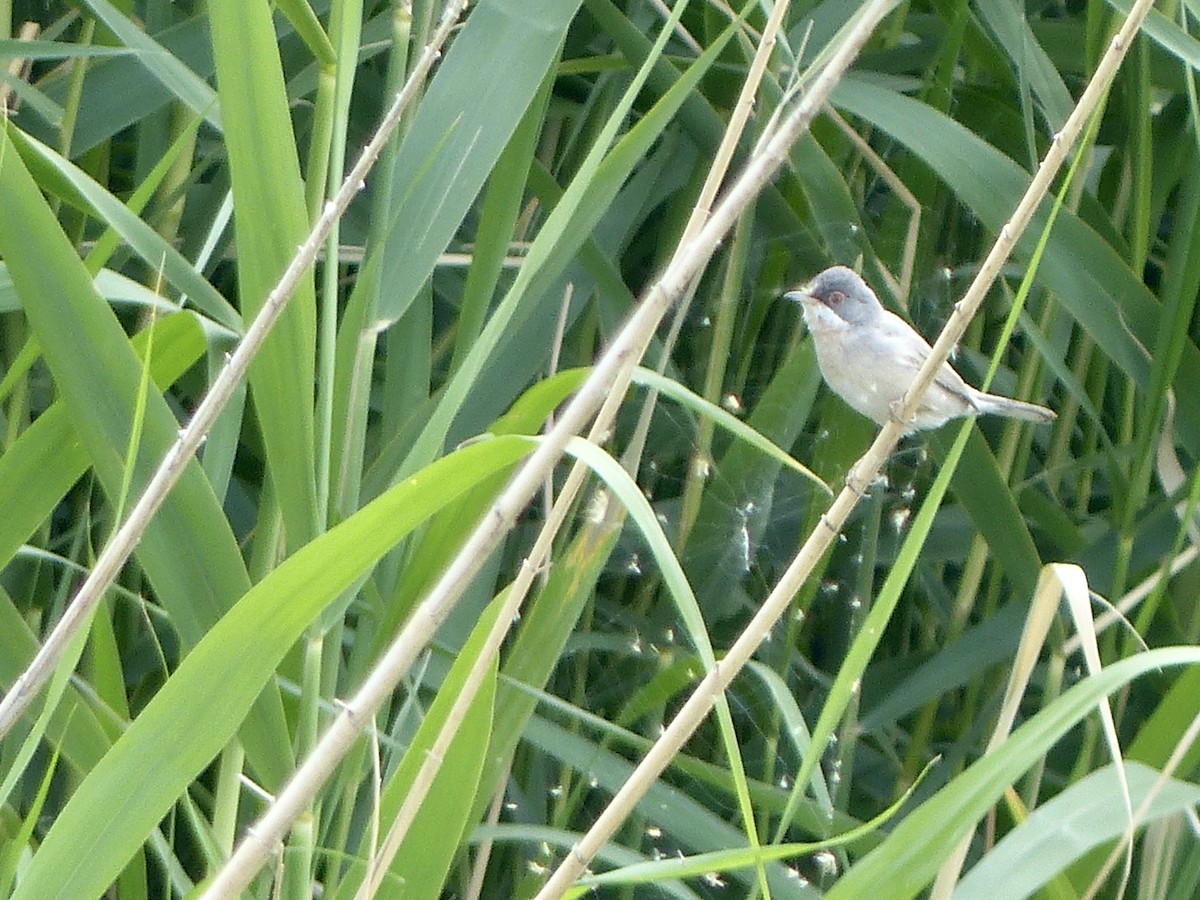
(869, 357)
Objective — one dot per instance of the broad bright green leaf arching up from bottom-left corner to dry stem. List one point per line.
(203, 704)
